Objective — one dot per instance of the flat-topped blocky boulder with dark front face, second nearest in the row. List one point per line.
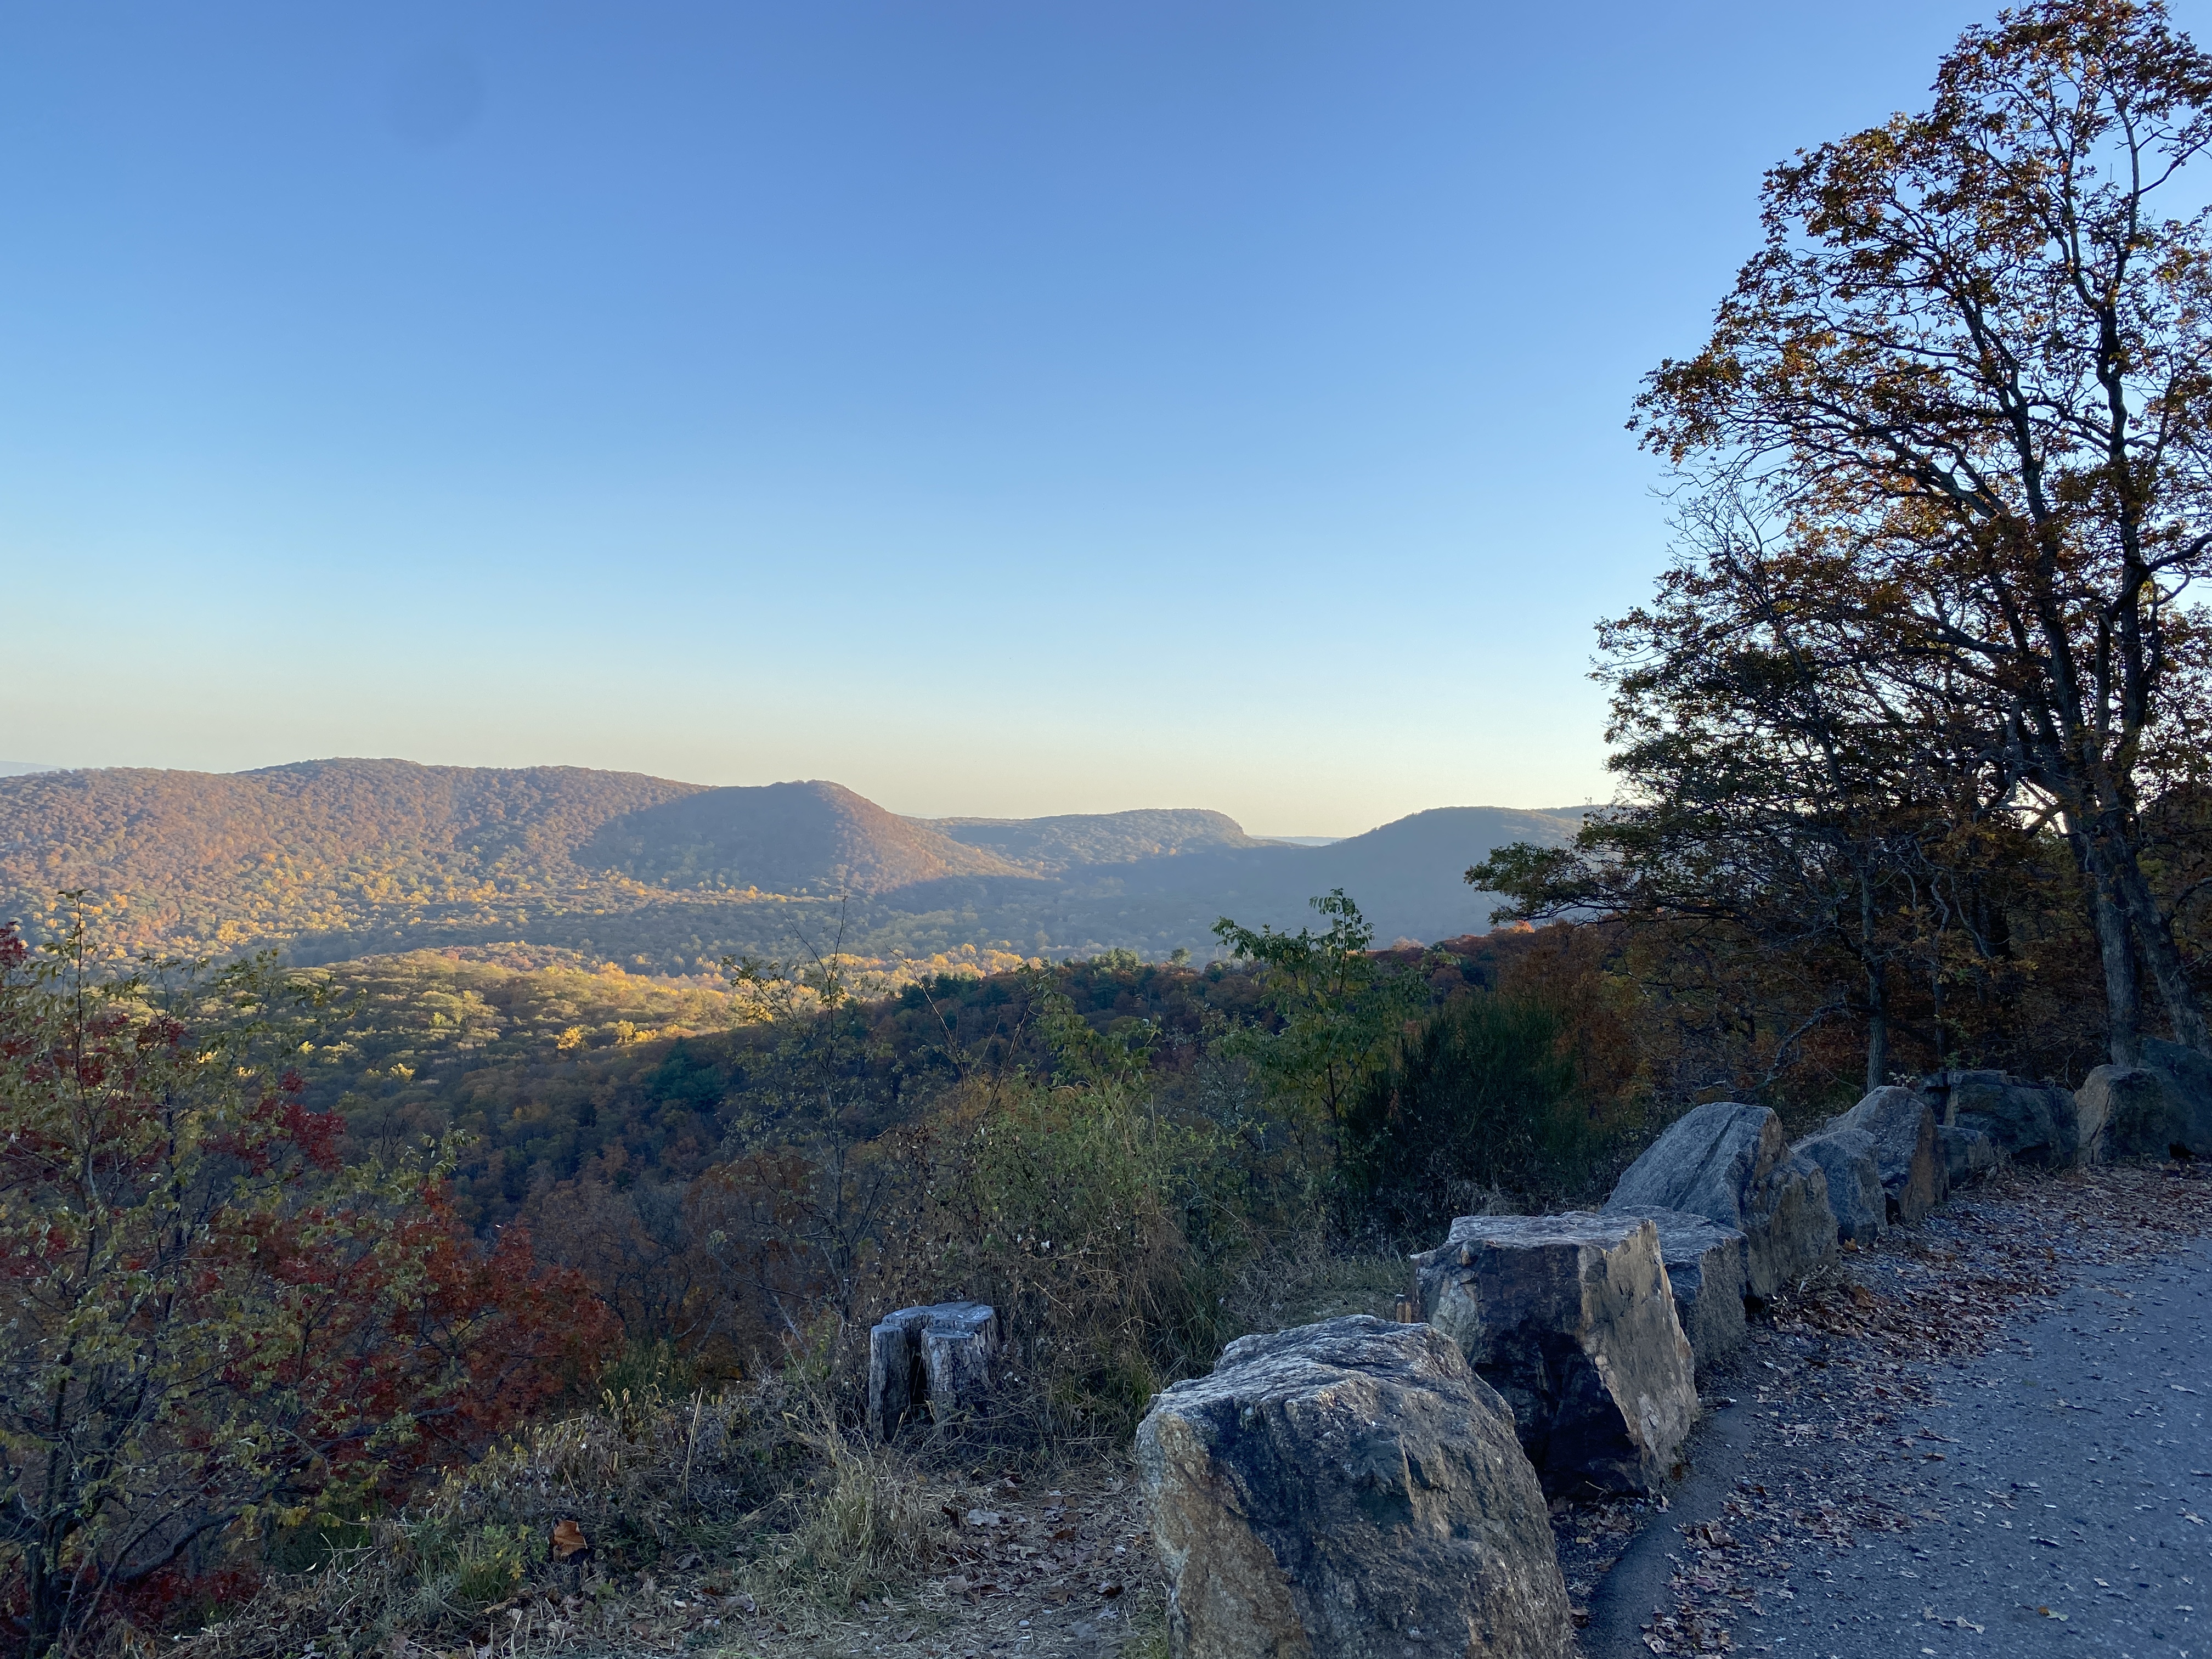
(1574, 1322)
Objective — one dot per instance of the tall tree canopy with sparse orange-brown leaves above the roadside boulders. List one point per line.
(1948, 477)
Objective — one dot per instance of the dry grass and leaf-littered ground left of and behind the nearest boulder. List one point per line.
(755, 1523)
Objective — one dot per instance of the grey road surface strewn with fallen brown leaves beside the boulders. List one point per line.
(2049, 1496)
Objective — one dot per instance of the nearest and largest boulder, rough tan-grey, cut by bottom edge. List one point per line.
(1348, 1492)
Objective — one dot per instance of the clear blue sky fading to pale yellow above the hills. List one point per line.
(994, 408)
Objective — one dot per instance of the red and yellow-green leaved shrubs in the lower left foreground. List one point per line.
(213, 1324)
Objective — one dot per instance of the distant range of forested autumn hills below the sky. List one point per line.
(342, 859)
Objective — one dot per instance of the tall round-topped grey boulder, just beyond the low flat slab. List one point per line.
(1731, 1165)
